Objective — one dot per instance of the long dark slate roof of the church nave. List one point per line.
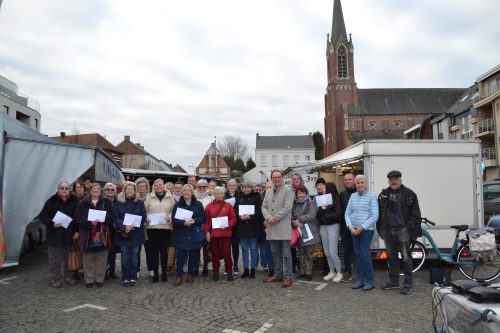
(405, 101)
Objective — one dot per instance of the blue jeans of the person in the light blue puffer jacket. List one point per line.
(364, 267)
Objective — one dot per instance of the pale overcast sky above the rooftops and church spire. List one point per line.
(174, 74)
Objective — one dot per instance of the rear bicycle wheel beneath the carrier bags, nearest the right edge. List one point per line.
(480, 269)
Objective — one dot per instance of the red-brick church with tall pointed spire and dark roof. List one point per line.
(353, 114)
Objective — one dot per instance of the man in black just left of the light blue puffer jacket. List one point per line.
(345, 234)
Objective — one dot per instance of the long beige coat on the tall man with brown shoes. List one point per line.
(278, 205)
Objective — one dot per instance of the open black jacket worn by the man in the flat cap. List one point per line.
(409, 208)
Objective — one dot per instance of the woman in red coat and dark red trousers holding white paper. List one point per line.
(220, 237)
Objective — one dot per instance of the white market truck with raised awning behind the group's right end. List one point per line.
(445, 175)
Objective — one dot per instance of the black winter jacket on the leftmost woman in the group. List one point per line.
(59, 236)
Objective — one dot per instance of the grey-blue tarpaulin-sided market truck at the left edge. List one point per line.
(31, 167)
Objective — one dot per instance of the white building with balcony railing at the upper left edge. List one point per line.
(19, 106)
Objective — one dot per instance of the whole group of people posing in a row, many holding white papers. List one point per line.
(280, 226)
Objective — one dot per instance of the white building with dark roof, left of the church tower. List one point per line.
(279, 152)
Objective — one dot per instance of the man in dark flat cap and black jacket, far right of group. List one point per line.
(398, 225)
